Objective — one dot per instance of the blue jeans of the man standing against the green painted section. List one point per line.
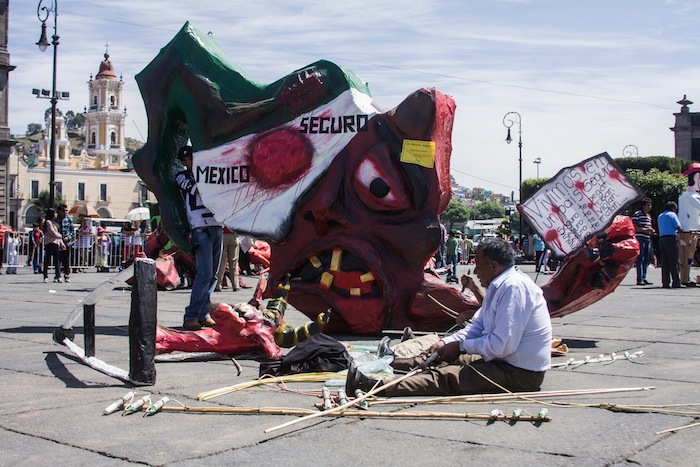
(207, 252)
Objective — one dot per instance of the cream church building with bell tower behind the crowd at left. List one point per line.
(99, 176)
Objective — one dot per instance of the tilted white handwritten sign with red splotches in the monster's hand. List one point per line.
(579, 202)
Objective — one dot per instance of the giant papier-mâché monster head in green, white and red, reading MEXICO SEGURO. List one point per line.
(349, 197)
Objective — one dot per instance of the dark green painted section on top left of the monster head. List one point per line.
(191, 90)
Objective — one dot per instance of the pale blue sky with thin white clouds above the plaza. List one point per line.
(586, 77)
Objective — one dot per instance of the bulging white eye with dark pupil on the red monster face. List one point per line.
(378, 188)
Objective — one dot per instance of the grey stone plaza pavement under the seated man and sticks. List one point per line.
(51, 404)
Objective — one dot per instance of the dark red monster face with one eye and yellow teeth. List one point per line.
(361, 236)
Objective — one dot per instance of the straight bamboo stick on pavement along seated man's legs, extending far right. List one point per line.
(503, 396)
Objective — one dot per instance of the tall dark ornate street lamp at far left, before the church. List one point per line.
(43, 12)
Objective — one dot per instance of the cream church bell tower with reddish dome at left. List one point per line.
(105, 117)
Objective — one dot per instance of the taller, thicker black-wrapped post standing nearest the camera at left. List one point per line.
(142, 323)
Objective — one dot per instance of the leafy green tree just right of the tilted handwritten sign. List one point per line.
(659, 186)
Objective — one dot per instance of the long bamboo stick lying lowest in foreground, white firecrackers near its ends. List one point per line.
(354, 413)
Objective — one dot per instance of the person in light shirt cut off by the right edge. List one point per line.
(689, 216)
